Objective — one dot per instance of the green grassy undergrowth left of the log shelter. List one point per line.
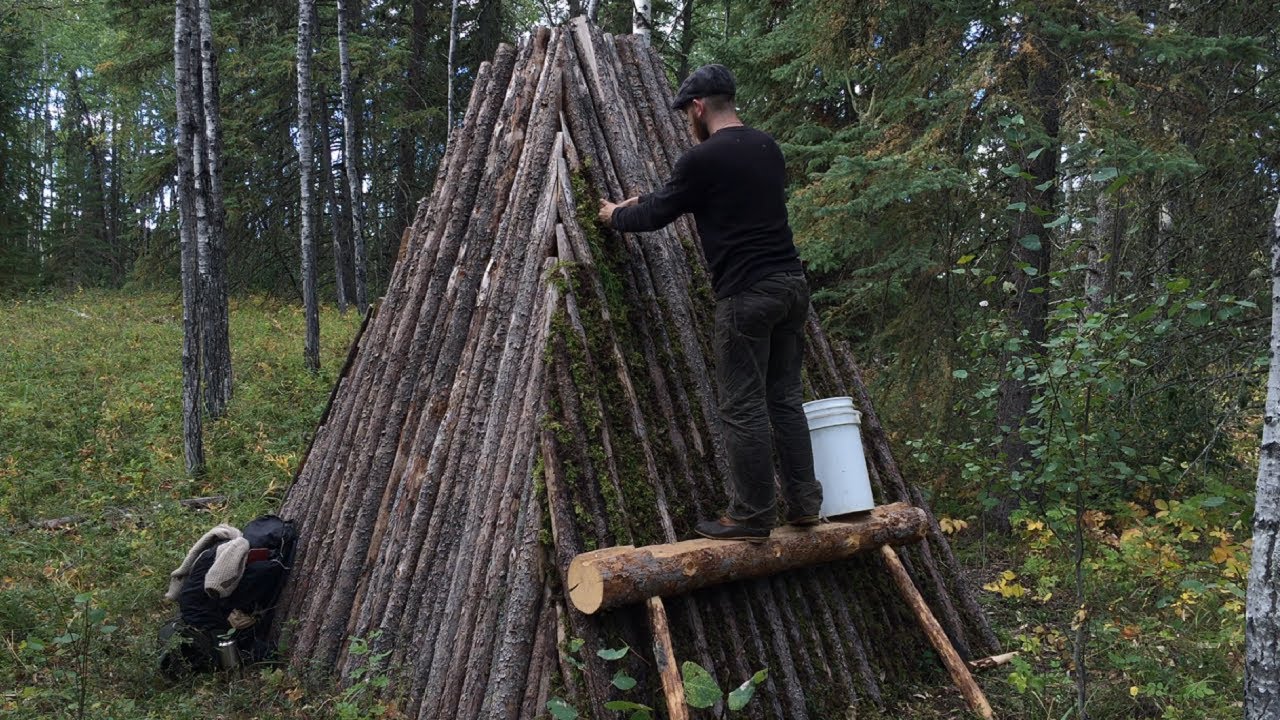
(90, 432)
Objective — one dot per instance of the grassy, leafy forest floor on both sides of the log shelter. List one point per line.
(90, 430)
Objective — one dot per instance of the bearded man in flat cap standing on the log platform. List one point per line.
(734, 184)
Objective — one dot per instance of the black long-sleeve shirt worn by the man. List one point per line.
(734, 184)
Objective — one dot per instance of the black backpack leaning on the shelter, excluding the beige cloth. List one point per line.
(190, 642)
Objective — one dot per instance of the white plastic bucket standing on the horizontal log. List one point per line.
(838, 455)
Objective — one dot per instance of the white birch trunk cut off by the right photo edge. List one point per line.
(1263, 607)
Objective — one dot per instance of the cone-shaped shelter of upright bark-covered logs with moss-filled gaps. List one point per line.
(533, 388)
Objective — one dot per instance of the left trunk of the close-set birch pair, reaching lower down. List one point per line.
(193, 444)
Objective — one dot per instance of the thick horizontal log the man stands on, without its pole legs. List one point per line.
(620, 576)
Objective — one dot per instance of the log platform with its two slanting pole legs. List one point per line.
(621, 576)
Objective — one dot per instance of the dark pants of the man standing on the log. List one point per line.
(760, 352)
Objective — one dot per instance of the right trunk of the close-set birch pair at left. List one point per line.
(216, 322)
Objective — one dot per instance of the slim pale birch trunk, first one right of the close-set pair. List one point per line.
(307, 167)
